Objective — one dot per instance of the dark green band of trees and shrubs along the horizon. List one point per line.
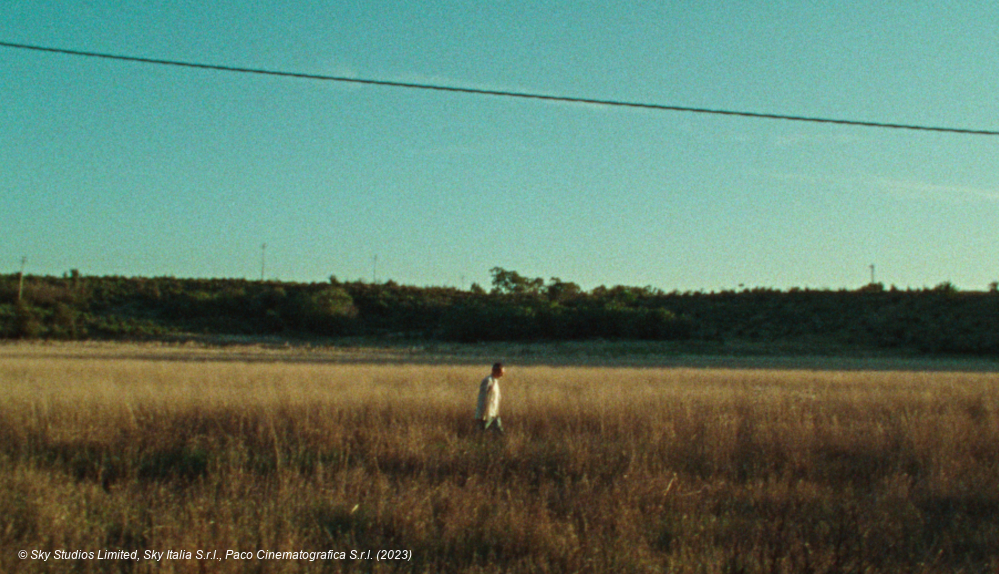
(515, 308)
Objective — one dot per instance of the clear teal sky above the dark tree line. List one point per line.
(139, 170)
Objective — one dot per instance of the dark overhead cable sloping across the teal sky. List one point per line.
(501, 93)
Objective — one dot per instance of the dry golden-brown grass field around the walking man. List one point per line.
(603, 469)
